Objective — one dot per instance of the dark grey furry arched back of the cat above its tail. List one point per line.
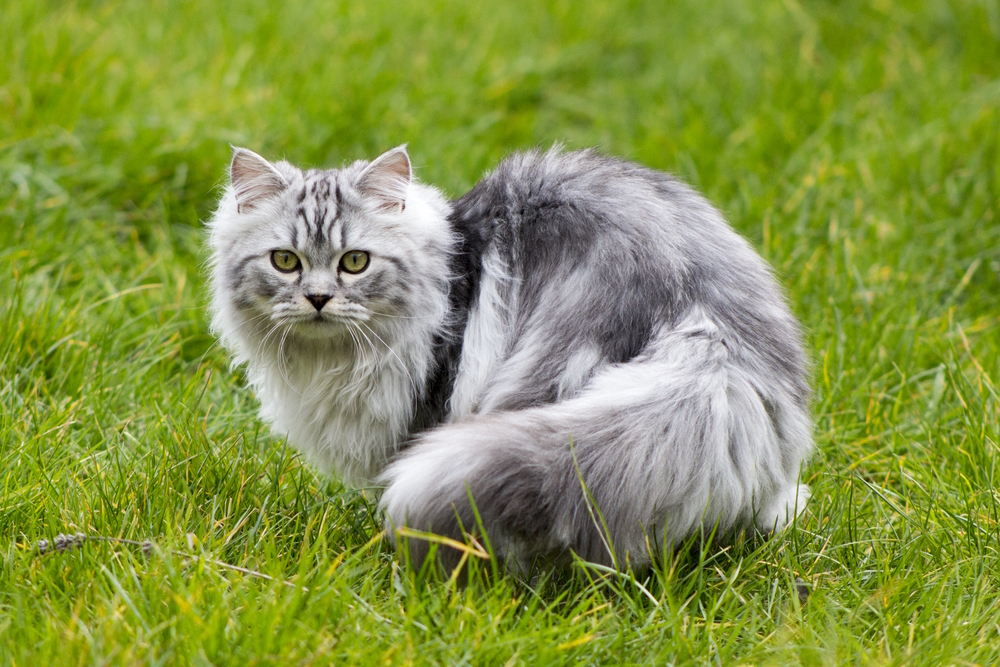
(596, 250)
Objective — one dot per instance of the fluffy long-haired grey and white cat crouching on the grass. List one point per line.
(581, 345)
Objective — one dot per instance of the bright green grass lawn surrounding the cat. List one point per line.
(856, 144)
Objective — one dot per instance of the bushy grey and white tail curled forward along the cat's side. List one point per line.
(651, 451)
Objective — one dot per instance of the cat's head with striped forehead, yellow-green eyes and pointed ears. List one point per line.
(319, 254)
